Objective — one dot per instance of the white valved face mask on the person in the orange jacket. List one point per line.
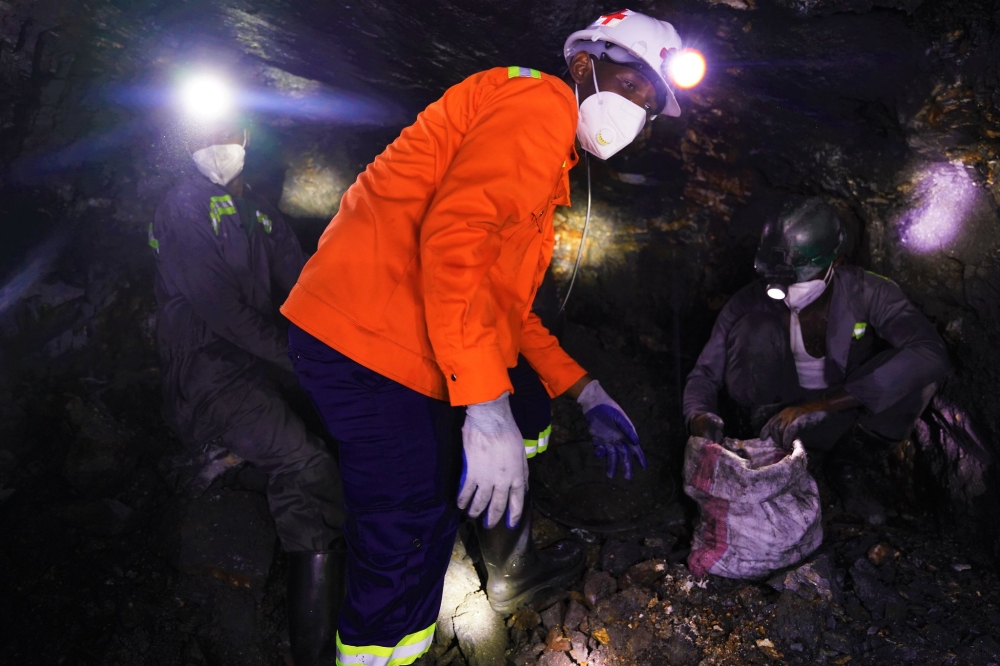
(608, 122)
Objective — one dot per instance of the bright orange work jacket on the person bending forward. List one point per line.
(427, 273)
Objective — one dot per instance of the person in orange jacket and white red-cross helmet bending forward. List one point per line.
(417, 303)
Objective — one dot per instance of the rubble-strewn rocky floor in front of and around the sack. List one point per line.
(905, 592)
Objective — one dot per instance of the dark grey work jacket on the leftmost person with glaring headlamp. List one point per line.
(217, 323)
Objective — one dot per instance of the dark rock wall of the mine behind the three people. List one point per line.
(890, 109)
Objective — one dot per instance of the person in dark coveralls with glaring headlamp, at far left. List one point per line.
(218, 251)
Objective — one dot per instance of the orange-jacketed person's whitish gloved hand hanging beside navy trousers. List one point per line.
(495, 467)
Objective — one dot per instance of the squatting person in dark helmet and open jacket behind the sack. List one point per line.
(827, 353)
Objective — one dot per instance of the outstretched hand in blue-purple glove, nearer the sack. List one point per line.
(613, 433)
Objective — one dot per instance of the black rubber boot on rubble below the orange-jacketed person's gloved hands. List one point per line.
(518, 574)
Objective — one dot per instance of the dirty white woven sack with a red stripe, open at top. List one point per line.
(759, 507)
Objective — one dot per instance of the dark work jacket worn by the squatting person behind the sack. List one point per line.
(863, 307)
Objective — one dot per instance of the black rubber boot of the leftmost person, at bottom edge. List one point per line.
(316, 588)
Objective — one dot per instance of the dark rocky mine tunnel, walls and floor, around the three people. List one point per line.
(889, 110)
